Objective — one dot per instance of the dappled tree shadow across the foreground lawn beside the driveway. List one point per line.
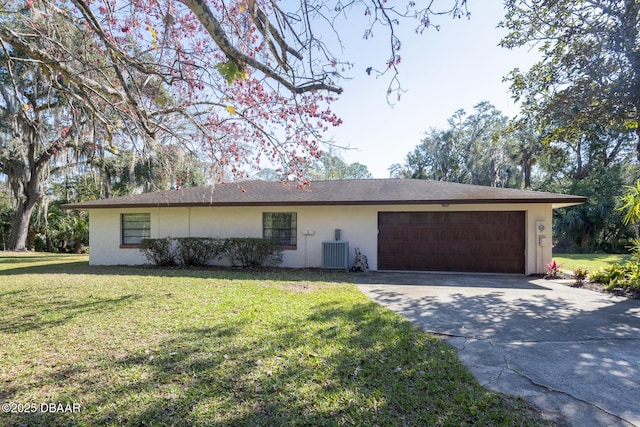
(338, 364)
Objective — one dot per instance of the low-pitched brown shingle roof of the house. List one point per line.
(345, 192)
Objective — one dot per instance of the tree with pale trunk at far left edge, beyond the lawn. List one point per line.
(32, 142)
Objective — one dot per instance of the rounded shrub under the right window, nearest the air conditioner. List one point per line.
(253, 251)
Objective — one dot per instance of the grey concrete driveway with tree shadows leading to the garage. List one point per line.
(573, 353)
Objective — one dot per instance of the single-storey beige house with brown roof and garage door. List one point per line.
(399, 224)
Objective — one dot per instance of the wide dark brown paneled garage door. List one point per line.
(452, 241)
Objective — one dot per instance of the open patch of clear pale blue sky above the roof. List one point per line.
(442, 71)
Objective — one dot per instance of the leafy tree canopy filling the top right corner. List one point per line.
(589, 74)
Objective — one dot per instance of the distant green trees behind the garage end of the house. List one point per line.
(484, 148)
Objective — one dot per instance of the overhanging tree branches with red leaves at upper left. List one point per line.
(240, 82)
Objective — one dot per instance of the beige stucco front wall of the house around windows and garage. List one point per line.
(358, 225)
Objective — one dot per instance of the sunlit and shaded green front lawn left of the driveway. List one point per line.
(141, 346)
